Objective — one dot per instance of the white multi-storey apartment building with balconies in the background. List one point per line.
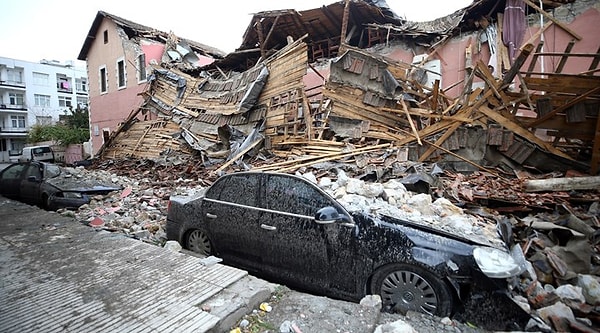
(35, 93)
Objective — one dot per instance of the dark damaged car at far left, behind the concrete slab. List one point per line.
(49, 185)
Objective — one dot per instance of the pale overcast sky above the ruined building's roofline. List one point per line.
(33, 30)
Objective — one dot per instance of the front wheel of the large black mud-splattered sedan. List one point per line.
(405, 287)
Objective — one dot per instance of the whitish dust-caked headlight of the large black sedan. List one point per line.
(497, 263)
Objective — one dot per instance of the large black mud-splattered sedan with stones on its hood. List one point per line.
(287, 229)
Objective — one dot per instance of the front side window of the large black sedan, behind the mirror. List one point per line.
(293, 195)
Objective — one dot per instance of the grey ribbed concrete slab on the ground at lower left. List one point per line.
(59, 275)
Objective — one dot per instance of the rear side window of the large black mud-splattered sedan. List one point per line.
(240, 189)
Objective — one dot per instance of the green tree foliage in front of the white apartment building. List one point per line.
(73, 128)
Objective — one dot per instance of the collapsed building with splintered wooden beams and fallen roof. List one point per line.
(310, 90)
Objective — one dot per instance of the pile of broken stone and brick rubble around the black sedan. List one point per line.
(561, 284)
